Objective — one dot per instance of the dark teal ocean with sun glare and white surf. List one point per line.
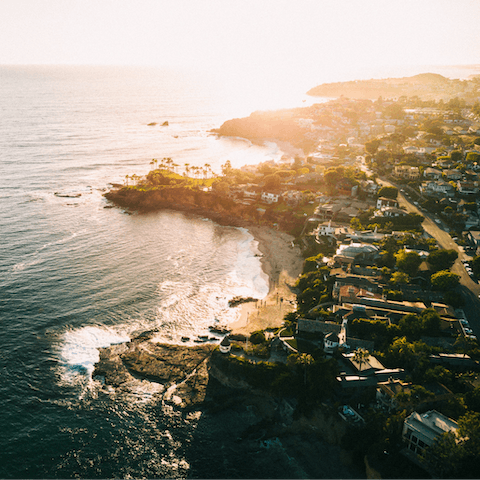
(76, 276)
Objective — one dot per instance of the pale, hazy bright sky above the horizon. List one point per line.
(264, 38)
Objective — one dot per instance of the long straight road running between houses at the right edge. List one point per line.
(470, 289)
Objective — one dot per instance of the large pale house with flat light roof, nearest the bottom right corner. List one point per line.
(420, 431)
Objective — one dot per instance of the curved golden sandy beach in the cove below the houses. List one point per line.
(283, 264)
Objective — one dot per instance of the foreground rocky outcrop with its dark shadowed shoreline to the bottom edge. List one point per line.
(193, 382)
